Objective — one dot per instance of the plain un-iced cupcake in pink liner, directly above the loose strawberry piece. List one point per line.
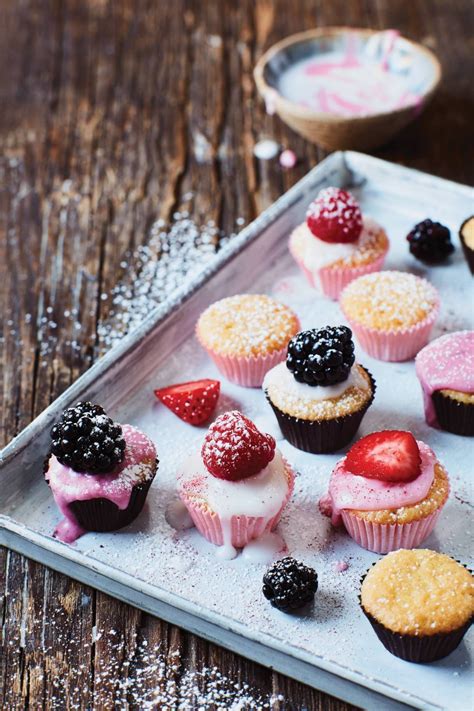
(246, 335)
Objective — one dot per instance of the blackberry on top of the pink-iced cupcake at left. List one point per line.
(87, 440)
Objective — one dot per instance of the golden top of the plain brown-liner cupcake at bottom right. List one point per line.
(419, 592)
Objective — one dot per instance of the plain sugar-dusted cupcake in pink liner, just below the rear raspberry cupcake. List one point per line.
(391, 313)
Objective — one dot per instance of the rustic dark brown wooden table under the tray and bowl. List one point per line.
(114, 114)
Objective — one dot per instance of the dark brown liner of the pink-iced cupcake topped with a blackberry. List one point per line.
(102, 515)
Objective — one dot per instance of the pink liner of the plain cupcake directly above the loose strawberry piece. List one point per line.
(248, 371)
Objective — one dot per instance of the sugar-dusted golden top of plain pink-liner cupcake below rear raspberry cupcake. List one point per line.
(389, 301)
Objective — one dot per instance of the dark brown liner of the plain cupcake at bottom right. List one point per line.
(420, 649)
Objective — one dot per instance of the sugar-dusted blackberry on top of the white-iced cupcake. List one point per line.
(321, 357)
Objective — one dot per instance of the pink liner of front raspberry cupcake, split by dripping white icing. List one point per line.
(243, 528)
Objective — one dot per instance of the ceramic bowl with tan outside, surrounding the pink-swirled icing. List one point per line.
(402, 59)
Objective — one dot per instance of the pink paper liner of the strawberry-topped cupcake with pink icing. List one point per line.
(384, 538)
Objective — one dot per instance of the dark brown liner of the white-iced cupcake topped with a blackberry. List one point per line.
(321, 436)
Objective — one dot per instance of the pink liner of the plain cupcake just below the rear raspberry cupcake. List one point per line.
(394, 345)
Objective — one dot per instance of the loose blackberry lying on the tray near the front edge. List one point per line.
(289, 584)
